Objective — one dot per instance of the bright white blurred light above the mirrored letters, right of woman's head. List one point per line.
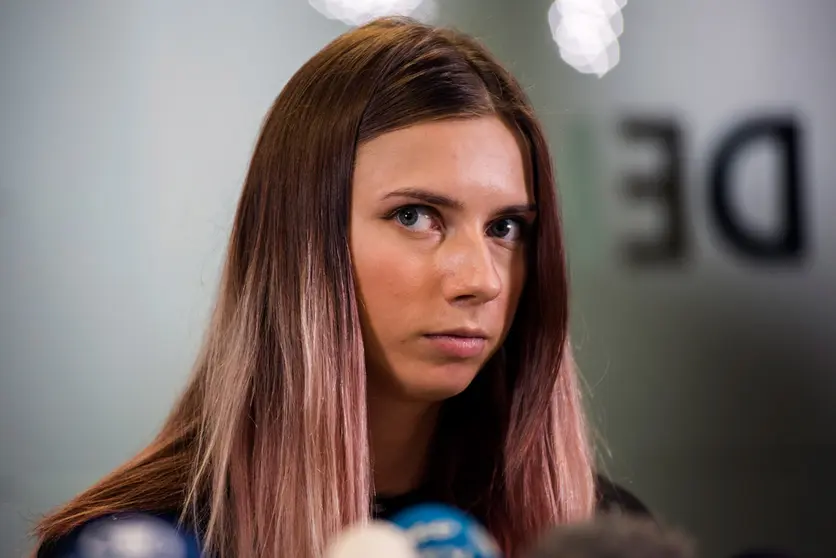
(587, 32)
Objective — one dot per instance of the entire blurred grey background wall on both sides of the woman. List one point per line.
(125, 132)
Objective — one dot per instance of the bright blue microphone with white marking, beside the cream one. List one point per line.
(440, 531)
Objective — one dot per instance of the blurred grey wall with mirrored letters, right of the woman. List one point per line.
(712, 373)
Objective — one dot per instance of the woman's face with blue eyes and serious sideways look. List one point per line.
(439, 219)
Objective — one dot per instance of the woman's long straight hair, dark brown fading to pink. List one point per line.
(267, 450)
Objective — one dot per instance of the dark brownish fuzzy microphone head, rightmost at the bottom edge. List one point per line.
(614, 536)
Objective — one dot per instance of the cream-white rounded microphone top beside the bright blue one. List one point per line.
(374, 540)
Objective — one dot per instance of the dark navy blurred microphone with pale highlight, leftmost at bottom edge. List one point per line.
(126, 535)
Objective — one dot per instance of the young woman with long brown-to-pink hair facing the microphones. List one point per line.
(391, 325)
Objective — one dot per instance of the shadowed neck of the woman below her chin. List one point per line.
(400, 437)
